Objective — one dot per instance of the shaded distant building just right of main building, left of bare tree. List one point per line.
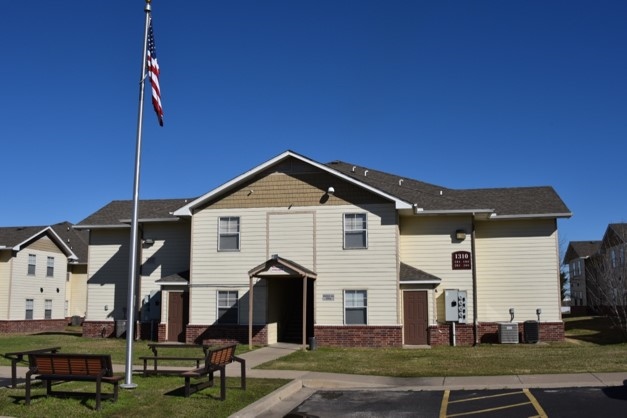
(578, 259)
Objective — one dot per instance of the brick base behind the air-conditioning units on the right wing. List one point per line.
(489, 333)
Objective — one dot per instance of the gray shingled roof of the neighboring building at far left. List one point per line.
(76, 241)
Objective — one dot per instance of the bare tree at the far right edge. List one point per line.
(606, 277)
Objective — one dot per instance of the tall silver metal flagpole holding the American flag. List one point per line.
(130, 323)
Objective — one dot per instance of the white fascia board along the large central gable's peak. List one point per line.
(187, 209)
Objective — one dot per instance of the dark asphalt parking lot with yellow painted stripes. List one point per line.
(607, 402)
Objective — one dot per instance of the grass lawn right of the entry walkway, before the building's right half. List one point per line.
(591, 345)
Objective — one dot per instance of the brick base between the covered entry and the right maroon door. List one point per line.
(359, 336)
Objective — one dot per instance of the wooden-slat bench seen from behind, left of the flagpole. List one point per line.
(71, 367)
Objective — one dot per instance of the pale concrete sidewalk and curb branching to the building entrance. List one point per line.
(304, 383)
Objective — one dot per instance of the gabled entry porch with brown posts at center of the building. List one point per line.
(290, 299)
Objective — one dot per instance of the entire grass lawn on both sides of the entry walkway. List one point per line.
(591, 345)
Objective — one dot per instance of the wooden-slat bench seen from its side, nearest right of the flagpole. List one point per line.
(216, 360)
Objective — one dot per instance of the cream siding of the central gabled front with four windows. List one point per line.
(372, 269)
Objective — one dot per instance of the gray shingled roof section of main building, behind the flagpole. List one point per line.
(118, 211)
